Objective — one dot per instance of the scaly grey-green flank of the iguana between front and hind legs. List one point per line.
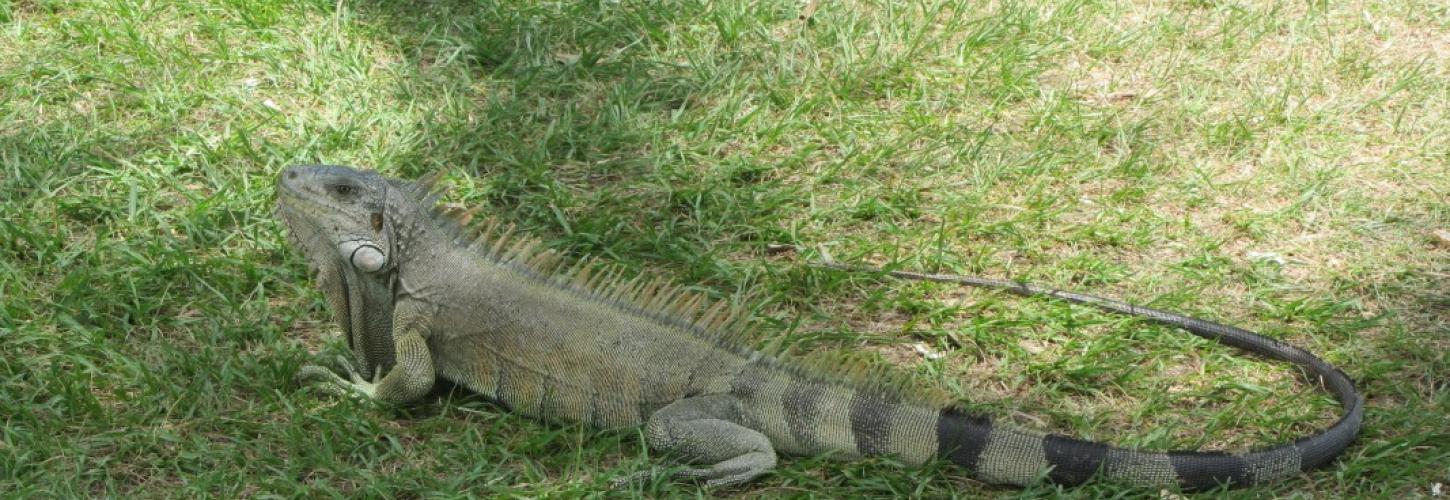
(565, 353)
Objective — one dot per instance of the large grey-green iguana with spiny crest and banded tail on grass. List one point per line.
(420, 298)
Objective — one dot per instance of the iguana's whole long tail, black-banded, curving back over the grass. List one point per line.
(807, 417)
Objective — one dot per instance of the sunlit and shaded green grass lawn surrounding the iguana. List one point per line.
(1277, 166)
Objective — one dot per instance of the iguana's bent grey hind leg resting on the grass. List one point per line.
(700, 431)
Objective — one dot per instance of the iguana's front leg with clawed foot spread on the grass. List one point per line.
(410, 379)
